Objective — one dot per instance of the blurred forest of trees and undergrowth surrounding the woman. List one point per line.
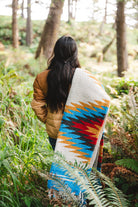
(108, 47)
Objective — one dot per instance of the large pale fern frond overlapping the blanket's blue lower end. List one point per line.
(92, 190)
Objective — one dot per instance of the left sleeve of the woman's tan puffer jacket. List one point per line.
(39, 101)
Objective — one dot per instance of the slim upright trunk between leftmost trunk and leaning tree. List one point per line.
(28, 24)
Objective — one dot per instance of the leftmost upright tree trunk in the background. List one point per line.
(15, 35)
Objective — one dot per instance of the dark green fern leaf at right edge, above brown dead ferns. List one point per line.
(128, 163)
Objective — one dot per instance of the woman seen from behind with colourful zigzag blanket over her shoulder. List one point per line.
(80, 135)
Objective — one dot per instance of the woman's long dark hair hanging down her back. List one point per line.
(62, 65)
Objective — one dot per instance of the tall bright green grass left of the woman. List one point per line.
(22, 141)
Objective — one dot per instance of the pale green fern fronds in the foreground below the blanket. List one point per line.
(91, 185)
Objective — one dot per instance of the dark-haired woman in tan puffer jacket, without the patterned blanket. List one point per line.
(51, 87)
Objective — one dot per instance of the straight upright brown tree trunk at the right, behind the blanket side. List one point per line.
(122, 57)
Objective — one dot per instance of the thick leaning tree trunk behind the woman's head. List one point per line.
(50, 31)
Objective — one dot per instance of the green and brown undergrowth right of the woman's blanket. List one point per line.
(122, 136)
